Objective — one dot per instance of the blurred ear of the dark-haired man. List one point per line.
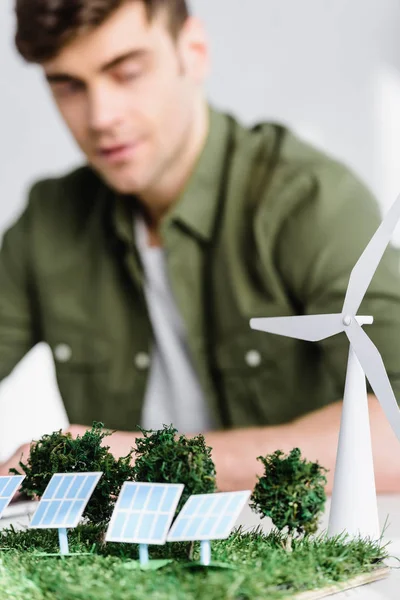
(193, 49)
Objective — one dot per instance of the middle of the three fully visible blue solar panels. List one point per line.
(144, 512)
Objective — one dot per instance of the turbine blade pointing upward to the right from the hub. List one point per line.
(364, 270)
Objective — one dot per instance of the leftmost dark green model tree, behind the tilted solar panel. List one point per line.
(60, 453)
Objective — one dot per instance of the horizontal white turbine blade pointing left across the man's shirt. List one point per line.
(311, 328)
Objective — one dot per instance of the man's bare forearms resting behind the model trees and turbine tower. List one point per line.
(235, 452)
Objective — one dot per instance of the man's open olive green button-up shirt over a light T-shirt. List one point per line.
(266, 226)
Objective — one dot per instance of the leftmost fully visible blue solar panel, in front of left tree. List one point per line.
(64, 500)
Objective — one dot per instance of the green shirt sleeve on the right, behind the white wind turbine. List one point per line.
(320, 242)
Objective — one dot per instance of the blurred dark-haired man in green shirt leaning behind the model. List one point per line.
(142, 268)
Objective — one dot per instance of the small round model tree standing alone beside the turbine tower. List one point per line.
(291, 492)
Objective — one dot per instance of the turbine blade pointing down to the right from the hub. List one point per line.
(374, 369)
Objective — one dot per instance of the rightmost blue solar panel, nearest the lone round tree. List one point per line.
(208, 516)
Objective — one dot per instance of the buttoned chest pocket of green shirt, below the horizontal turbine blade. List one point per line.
(269, 379)
